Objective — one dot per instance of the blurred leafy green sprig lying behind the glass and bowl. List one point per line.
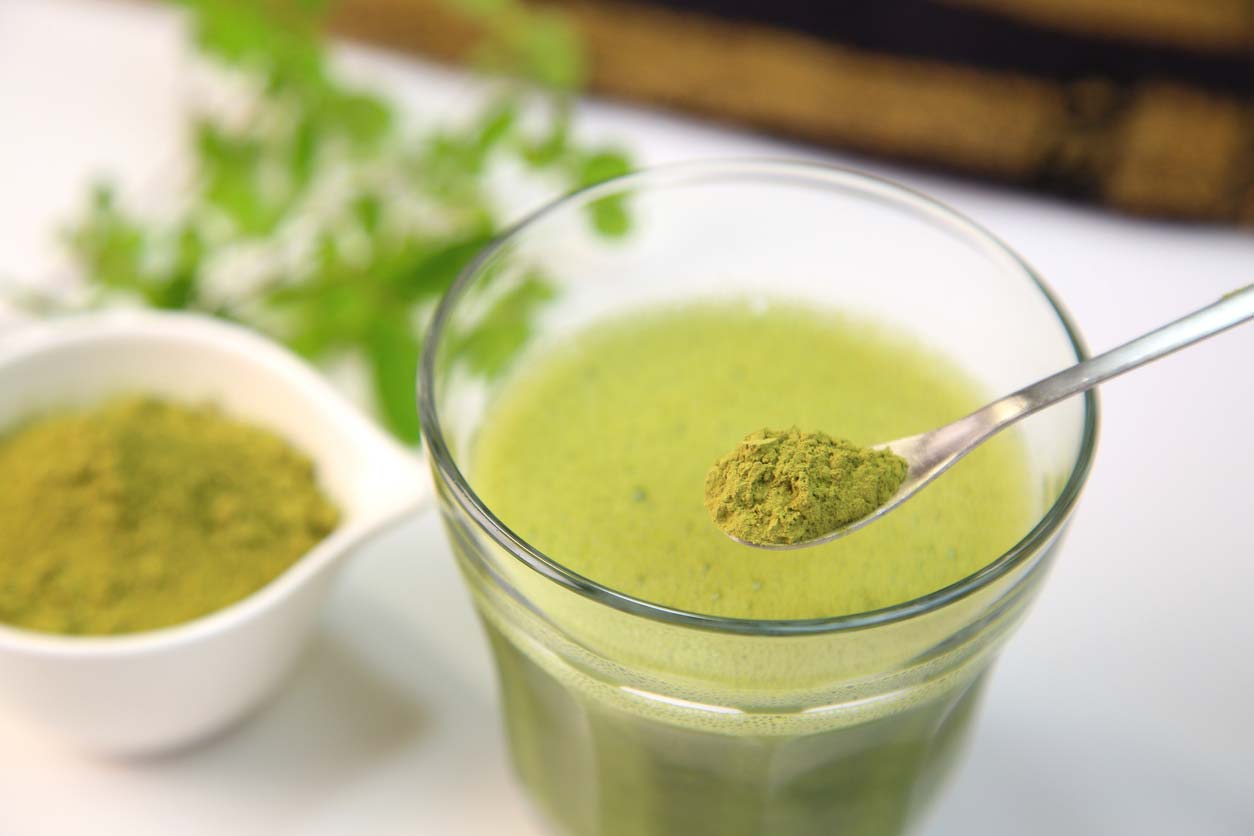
(319, 221)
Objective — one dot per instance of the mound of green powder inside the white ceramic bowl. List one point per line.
(144, 515)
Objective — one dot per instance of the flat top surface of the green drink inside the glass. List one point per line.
(598, 456)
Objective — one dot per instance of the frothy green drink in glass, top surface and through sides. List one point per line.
(598, 453)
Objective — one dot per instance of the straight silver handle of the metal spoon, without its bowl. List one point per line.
(1231, 311)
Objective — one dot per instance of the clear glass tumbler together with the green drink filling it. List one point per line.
(656, 677)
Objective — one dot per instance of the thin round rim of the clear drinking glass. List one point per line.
(727, 170)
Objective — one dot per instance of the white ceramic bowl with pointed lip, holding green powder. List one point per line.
(166, 689)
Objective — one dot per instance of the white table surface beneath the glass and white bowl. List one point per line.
(1123, 706)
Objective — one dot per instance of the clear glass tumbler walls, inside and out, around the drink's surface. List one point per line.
(628, 719)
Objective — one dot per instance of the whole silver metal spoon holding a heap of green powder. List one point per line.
(931, 454)
